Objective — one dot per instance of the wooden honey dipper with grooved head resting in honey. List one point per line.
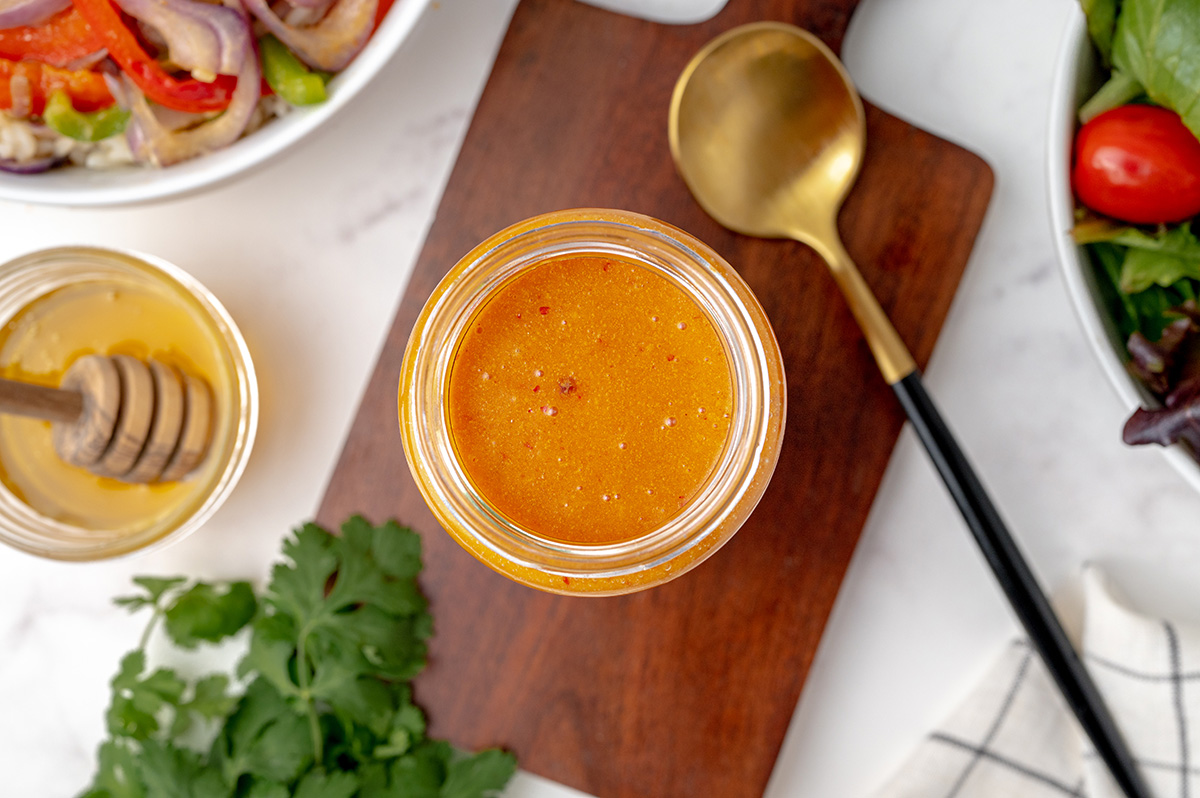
(122, 418)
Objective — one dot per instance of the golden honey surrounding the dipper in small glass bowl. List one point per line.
(105, 317)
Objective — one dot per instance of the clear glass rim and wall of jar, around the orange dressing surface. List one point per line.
(725, 497)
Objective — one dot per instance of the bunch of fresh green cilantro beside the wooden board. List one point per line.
(326, 710)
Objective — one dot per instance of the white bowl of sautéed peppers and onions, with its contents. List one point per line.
(111, 101)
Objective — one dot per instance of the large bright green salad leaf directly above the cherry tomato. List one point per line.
(1157, 43)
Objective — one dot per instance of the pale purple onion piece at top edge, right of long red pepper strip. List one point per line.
(203, 39)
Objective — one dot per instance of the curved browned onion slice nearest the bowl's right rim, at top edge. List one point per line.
(333, 43)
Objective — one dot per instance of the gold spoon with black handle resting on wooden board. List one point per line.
(769, 133)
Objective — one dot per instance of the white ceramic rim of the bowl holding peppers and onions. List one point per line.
(93, 188)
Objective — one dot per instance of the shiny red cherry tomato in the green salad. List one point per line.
(1138, 164)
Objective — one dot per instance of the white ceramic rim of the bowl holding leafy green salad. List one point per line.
(1077, 77)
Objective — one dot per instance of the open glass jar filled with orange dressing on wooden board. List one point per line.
(592, 403)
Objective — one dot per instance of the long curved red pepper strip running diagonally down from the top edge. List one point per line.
(189, 94)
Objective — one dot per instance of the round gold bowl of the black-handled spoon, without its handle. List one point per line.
(769, 133)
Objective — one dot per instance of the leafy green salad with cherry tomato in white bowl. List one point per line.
(1135, 176)
